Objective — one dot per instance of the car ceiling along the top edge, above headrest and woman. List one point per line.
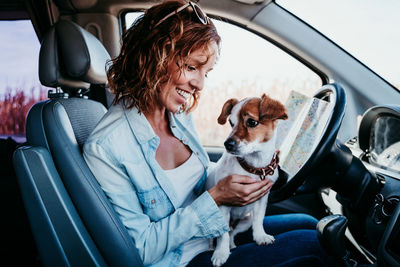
(22, 9)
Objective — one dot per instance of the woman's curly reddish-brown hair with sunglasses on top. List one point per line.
(137, 74)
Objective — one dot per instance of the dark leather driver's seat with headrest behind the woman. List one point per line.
(71, 218)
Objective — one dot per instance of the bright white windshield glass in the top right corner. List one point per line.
(367, 29)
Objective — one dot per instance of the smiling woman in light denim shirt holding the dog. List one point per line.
(147, 157)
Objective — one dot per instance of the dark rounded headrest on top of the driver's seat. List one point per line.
(71, 58)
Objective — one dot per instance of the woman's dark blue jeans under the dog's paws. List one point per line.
(296, 244)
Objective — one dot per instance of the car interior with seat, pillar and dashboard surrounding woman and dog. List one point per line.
(55, 212)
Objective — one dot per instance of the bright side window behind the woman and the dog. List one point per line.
(248, 66)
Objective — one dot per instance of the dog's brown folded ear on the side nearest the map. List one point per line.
(271, 109)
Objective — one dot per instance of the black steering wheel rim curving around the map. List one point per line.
(335, 94)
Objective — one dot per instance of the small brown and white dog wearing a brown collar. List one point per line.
(251, 151)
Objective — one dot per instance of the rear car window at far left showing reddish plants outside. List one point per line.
(19, 82)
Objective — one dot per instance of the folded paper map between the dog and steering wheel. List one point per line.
(300, 133)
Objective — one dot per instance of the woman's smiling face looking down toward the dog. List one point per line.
(185, 81)
